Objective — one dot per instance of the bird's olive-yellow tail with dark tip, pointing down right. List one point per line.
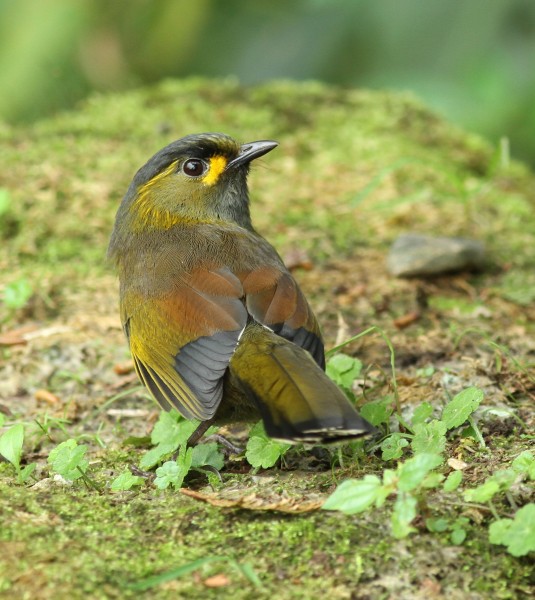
(296, 399)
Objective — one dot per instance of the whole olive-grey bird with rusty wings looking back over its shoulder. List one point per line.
(217, 326)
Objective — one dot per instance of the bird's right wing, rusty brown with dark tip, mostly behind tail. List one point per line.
(274, 299)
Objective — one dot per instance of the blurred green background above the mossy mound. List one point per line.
(472, 60)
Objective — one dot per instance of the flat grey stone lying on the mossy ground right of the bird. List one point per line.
(413, 255)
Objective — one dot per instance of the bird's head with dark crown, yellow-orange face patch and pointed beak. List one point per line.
(198, 178)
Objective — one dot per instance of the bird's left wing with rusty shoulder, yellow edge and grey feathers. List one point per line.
(182, 342)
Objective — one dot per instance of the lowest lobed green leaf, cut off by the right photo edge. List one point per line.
(517, 534)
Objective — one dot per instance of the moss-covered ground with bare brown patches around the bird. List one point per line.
(354, 169)
